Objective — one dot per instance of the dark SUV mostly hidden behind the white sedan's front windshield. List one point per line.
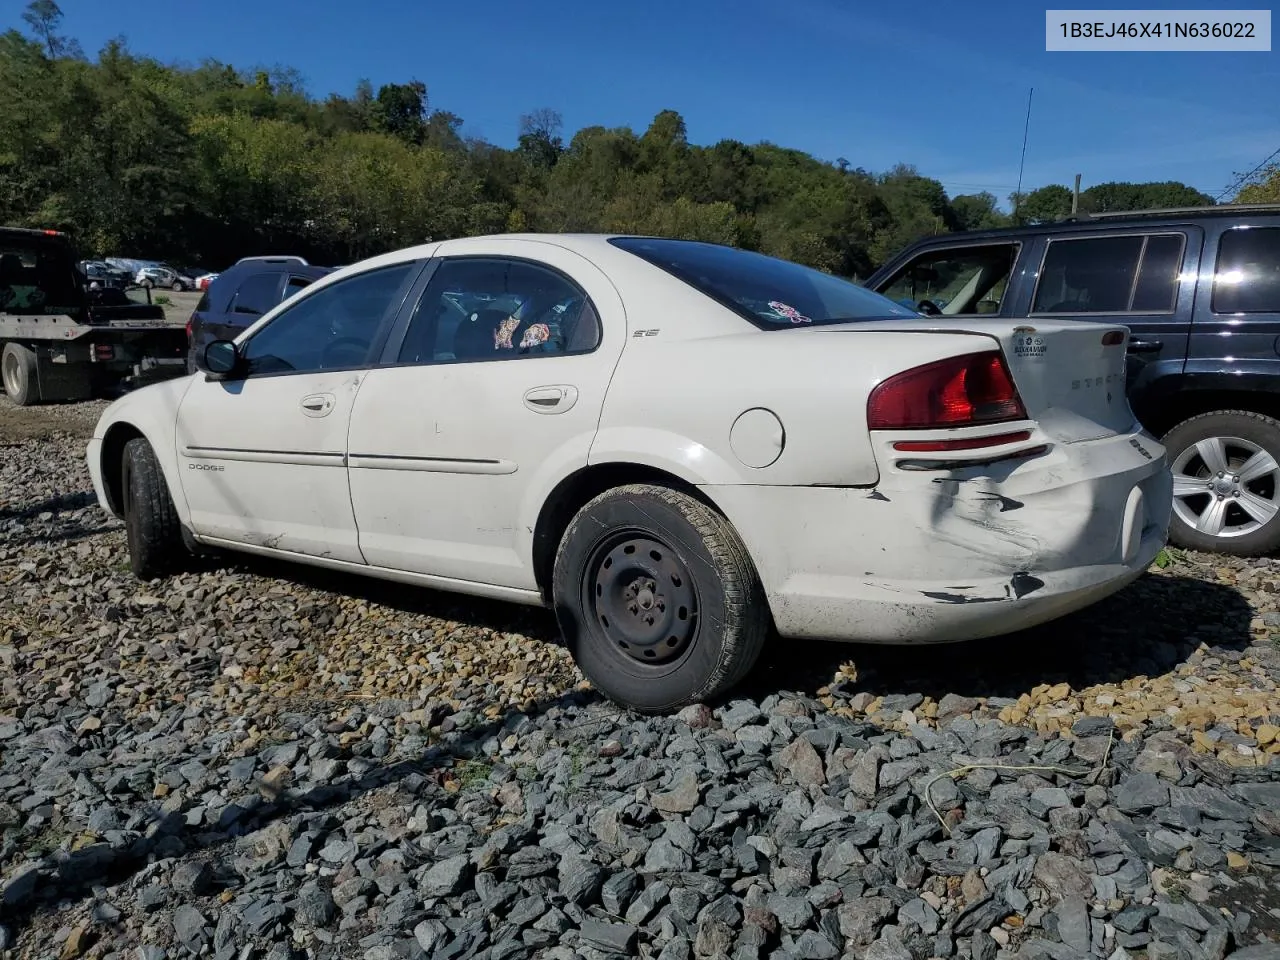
(237, 298)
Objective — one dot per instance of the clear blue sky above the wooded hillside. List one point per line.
(939, 85)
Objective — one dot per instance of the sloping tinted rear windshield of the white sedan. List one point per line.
(770, 292)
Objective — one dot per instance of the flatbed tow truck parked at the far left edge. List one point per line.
(62, 340)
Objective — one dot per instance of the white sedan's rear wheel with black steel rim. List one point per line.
(688, 572)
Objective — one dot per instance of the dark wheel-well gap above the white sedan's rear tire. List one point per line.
(580, 487)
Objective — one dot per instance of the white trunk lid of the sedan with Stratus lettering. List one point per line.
(1072, 382)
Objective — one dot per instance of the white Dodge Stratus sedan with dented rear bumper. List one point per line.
(679, 447)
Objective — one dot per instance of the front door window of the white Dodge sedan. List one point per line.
(333, 328)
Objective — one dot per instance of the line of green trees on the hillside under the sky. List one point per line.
(211, 163)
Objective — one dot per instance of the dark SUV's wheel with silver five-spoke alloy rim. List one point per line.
(1249, 522)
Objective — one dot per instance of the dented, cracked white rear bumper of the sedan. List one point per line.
(959, 555)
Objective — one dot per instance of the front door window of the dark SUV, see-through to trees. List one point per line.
(957, 281)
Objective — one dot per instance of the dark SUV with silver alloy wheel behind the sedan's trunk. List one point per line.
(1200, 292)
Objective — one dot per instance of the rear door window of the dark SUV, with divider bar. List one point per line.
(1132, 275)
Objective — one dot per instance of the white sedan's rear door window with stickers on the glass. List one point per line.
(499, 309)
